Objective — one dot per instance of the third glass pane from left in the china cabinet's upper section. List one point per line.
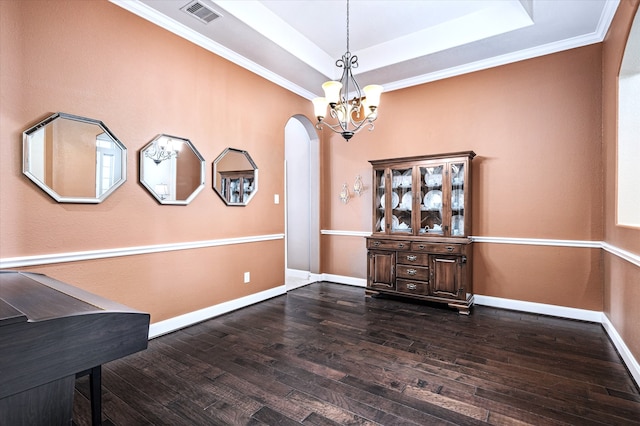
(431, 183)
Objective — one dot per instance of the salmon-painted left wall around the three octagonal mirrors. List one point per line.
(96, 60)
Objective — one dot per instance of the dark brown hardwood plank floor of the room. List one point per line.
(325, 354)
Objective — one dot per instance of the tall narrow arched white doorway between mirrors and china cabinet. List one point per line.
(302, 202)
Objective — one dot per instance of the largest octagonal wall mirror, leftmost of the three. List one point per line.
(74, 159)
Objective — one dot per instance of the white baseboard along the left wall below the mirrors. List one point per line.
(182, 321)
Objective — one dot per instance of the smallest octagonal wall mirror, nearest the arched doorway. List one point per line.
(235, 177)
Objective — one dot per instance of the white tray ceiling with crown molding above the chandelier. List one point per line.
(399, 43)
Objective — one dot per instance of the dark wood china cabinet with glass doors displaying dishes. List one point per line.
(420, 245)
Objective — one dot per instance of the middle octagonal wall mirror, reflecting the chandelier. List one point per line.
(171, 169)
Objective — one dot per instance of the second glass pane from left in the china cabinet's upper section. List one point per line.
(401, 200)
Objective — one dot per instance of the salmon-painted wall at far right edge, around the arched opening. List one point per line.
(621, 277)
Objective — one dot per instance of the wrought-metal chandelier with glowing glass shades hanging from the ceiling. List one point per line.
(350, 115)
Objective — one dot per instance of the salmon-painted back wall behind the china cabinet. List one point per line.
(535, 126)
